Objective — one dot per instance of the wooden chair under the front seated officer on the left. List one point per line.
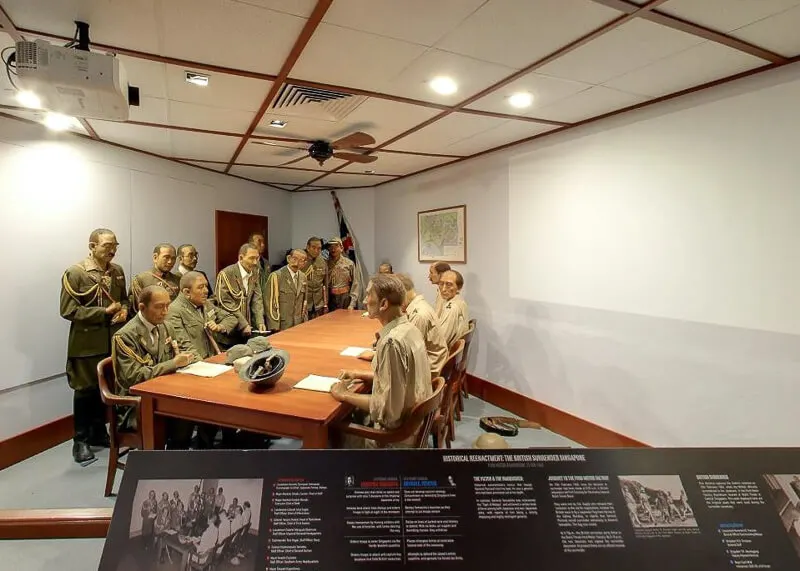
(121, 441)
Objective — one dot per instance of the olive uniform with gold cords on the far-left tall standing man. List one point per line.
(86, 291)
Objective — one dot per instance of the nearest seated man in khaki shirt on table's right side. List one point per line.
(401, 373)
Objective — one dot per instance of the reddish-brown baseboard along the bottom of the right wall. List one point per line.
(560, 422)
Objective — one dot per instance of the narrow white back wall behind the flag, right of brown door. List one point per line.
(313, 215)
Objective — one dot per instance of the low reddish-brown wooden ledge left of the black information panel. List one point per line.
(55, 524)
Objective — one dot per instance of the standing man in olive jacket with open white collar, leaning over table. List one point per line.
(239, 292)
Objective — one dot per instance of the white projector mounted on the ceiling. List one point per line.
(75, 82)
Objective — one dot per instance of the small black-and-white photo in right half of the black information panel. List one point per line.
(657, 501)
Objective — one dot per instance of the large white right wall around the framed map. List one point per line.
(645, 275)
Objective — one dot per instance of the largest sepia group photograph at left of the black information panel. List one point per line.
(179, 525)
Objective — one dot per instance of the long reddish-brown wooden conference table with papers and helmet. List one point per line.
(226, 400)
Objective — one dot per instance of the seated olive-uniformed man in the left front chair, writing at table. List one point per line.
(146, 348)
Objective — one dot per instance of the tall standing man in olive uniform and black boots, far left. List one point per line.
(93, 300)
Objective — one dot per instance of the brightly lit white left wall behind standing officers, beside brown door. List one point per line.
(55, 189)
